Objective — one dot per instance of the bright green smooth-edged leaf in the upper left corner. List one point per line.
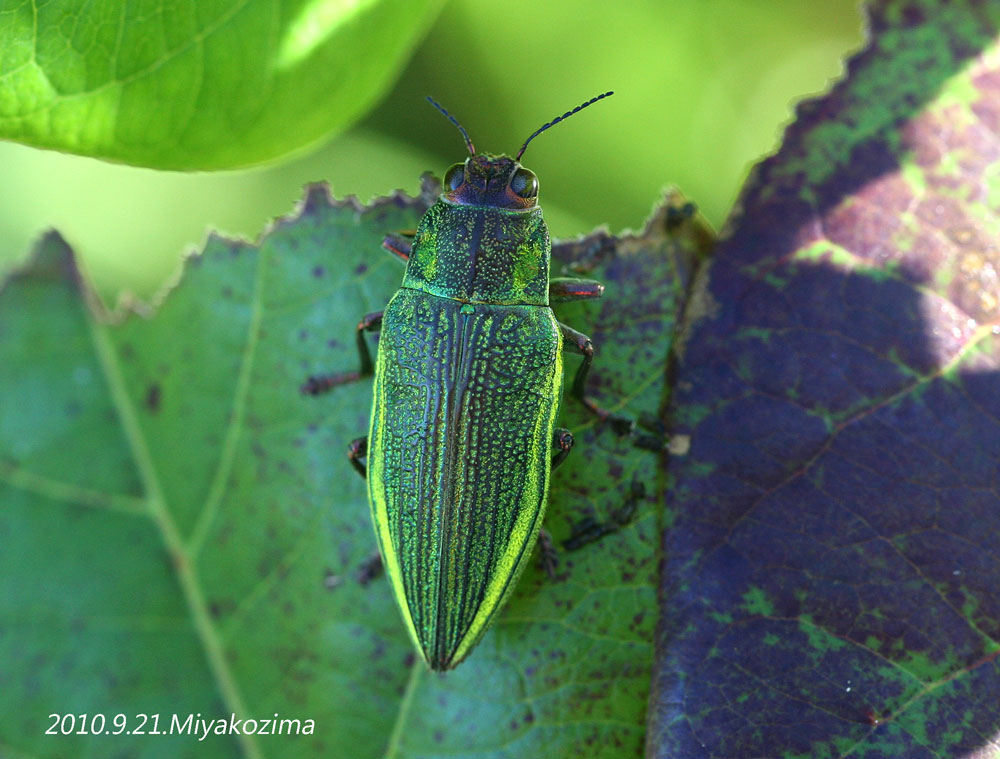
(207, 85)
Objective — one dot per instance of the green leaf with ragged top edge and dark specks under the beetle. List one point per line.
(182, 532)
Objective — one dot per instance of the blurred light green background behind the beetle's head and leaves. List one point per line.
(704, 88)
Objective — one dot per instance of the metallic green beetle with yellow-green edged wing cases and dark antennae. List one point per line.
(468, 381)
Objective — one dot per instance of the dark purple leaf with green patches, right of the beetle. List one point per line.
(832, 574)
